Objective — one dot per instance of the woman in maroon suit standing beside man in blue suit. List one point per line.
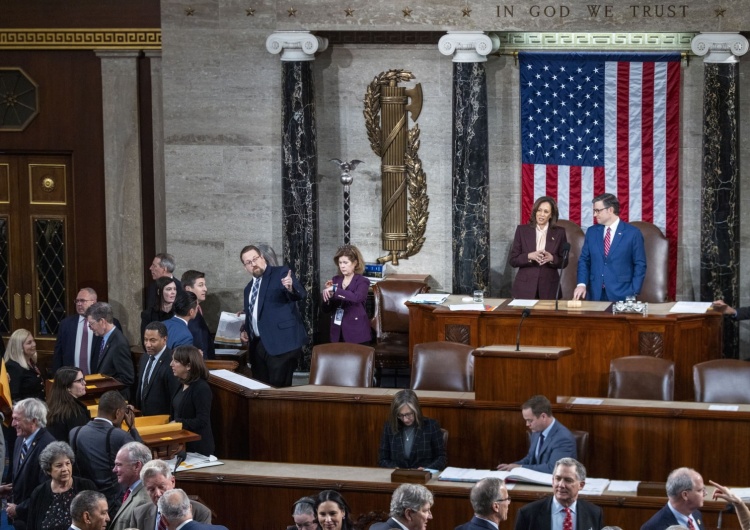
(537, 253)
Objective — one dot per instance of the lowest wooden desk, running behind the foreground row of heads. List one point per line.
(260, 495)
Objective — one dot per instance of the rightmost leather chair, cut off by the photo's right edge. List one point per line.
(722, 381)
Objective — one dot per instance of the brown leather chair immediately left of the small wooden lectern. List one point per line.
(446, 366)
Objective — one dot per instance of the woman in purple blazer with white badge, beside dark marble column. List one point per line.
(345, 295)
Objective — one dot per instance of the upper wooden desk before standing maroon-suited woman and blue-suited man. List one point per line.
(596, 338)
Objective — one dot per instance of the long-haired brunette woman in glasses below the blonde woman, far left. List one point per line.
(65, 408)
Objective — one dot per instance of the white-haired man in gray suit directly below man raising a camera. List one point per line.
(129, 461)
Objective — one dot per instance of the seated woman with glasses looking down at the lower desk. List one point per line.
(409, 439)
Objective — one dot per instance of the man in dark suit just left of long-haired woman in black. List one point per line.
(156, 384)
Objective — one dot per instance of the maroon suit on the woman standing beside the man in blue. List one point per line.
(532, 278)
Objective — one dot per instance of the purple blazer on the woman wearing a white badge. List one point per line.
(355, 325)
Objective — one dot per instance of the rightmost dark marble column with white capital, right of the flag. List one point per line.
(720, 181)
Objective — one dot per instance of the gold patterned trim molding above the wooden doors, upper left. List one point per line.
(80, 39)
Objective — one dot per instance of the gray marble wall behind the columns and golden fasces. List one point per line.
(222, 120)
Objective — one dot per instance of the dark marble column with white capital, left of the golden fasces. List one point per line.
(299, 161)
